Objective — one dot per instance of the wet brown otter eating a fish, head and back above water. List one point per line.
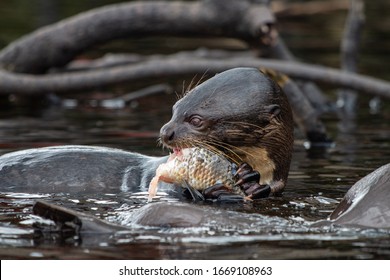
(241, 112)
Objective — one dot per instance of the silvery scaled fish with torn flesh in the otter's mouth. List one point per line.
(198, 167)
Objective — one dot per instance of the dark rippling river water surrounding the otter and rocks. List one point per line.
(274, 228)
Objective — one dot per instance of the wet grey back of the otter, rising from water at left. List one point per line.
(76, 169)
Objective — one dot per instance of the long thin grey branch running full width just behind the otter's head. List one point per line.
(26, 84)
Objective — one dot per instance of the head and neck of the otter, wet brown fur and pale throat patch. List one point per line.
(242, 113)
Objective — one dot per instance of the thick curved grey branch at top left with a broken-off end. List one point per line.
(55, 45)
